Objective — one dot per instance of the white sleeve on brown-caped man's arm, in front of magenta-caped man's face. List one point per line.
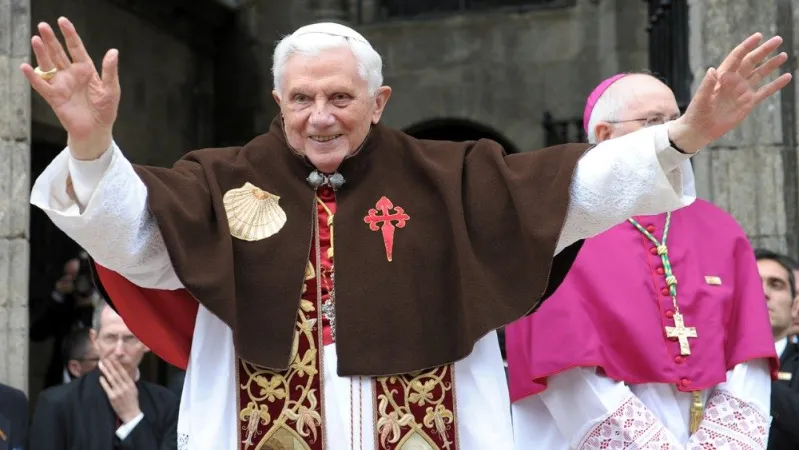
(635, 174)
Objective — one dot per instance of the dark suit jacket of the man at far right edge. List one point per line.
(785, 403)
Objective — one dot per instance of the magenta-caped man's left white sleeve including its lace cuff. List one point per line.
(593, 411)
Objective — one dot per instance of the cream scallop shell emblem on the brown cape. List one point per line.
(252, 213)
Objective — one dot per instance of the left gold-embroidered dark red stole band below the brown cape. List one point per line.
(284, 409)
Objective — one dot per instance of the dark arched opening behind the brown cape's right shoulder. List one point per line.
(458, 130)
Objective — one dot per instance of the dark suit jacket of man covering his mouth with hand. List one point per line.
(78, 416)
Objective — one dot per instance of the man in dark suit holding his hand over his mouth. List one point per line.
(108, 408)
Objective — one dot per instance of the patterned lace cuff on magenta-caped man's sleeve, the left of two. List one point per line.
(631, 426)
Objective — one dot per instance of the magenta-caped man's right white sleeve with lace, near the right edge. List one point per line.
(737, 414)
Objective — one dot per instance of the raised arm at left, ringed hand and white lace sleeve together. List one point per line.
(90, 191)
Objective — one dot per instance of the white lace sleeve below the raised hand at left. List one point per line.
(106, 213)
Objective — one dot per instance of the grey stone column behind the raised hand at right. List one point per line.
(751, 172)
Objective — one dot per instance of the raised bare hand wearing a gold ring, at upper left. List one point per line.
(84, 102)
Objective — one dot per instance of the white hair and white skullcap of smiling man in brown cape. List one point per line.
(310, 40)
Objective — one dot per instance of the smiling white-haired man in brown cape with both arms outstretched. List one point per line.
(335, 283)
